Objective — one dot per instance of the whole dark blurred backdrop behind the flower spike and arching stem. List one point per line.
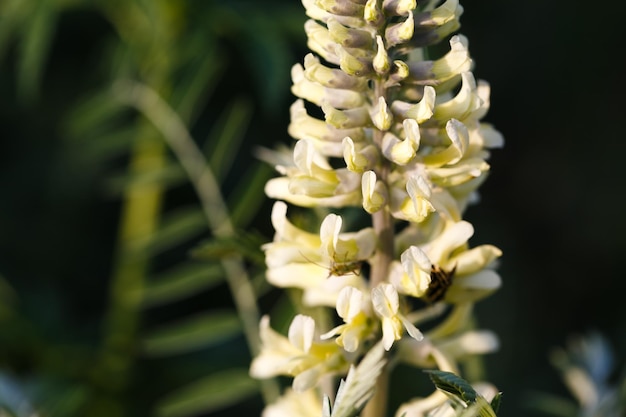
(75, 163)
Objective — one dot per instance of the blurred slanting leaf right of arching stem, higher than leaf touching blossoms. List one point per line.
(227, 134)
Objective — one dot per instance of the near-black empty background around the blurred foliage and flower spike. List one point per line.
(553, 203)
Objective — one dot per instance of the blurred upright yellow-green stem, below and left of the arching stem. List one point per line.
(140, 216)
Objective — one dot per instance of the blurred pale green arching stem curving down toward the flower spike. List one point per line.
(176, 135)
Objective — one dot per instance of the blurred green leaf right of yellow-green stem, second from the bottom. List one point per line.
(192, 334)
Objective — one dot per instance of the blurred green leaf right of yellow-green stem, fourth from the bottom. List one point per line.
(177, 227)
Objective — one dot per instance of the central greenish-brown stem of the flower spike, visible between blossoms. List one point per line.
(382, 222)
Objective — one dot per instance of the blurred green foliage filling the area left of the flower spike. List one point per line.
(107, 313)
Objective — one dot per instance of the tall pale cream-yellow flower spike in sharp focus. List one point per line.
(399, 135)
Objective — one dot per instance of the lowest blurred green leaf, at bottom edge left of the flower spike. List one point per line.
(217, 391)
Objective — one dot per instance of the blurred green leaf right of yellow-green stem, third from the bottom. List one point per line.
(183, 281)
